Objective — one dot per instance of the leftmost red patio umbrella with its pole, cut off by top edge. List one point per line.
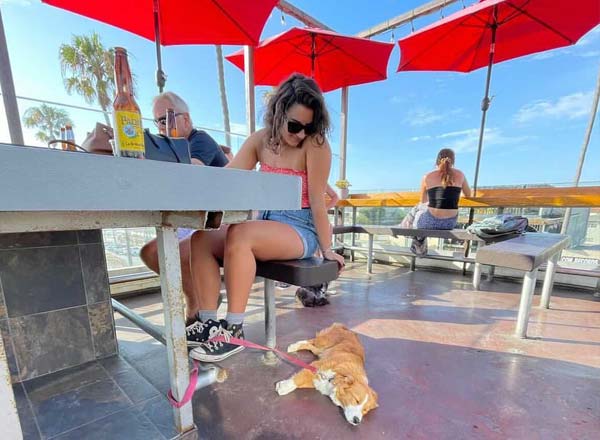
(173, 22)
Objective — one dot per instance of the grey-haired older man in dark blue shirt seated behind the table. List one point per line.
(204, 151)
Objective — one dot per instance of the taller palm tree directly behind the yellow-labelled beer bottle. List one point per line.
(87, 68)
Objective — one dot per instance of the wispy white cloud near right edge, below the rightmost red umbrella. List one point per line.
(571, 106)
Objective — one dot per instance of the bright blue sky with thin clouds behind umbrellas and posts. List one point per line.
(535, 126)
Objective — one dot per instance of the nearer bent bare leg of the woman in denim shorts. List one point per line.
(247, 242)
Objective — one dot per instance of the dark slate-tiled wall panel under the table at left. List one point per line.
(55, 309)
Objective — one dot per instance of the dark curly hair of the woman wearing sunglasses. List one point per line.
(297, 89)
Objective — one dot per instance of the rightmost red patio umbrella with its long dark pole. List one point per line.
(492, 31)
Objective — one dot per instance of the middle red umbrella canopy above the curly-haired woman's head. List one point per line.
(332, 59)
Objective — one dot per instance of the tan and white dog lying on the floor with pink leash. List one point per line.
(340, 372)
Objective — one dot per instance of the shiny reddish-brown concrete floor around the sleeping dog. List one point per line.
(441, 356)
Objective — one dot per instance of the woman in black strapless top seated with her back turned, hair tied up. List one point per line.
(440, 192)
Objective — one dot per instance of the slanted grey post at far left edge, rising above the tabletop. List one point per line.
(8, 92)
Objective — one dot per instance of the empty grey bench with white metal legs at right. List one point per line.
(526, 252)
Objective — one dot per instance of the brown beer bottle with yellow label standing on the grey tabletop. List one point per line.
(129, 136)
